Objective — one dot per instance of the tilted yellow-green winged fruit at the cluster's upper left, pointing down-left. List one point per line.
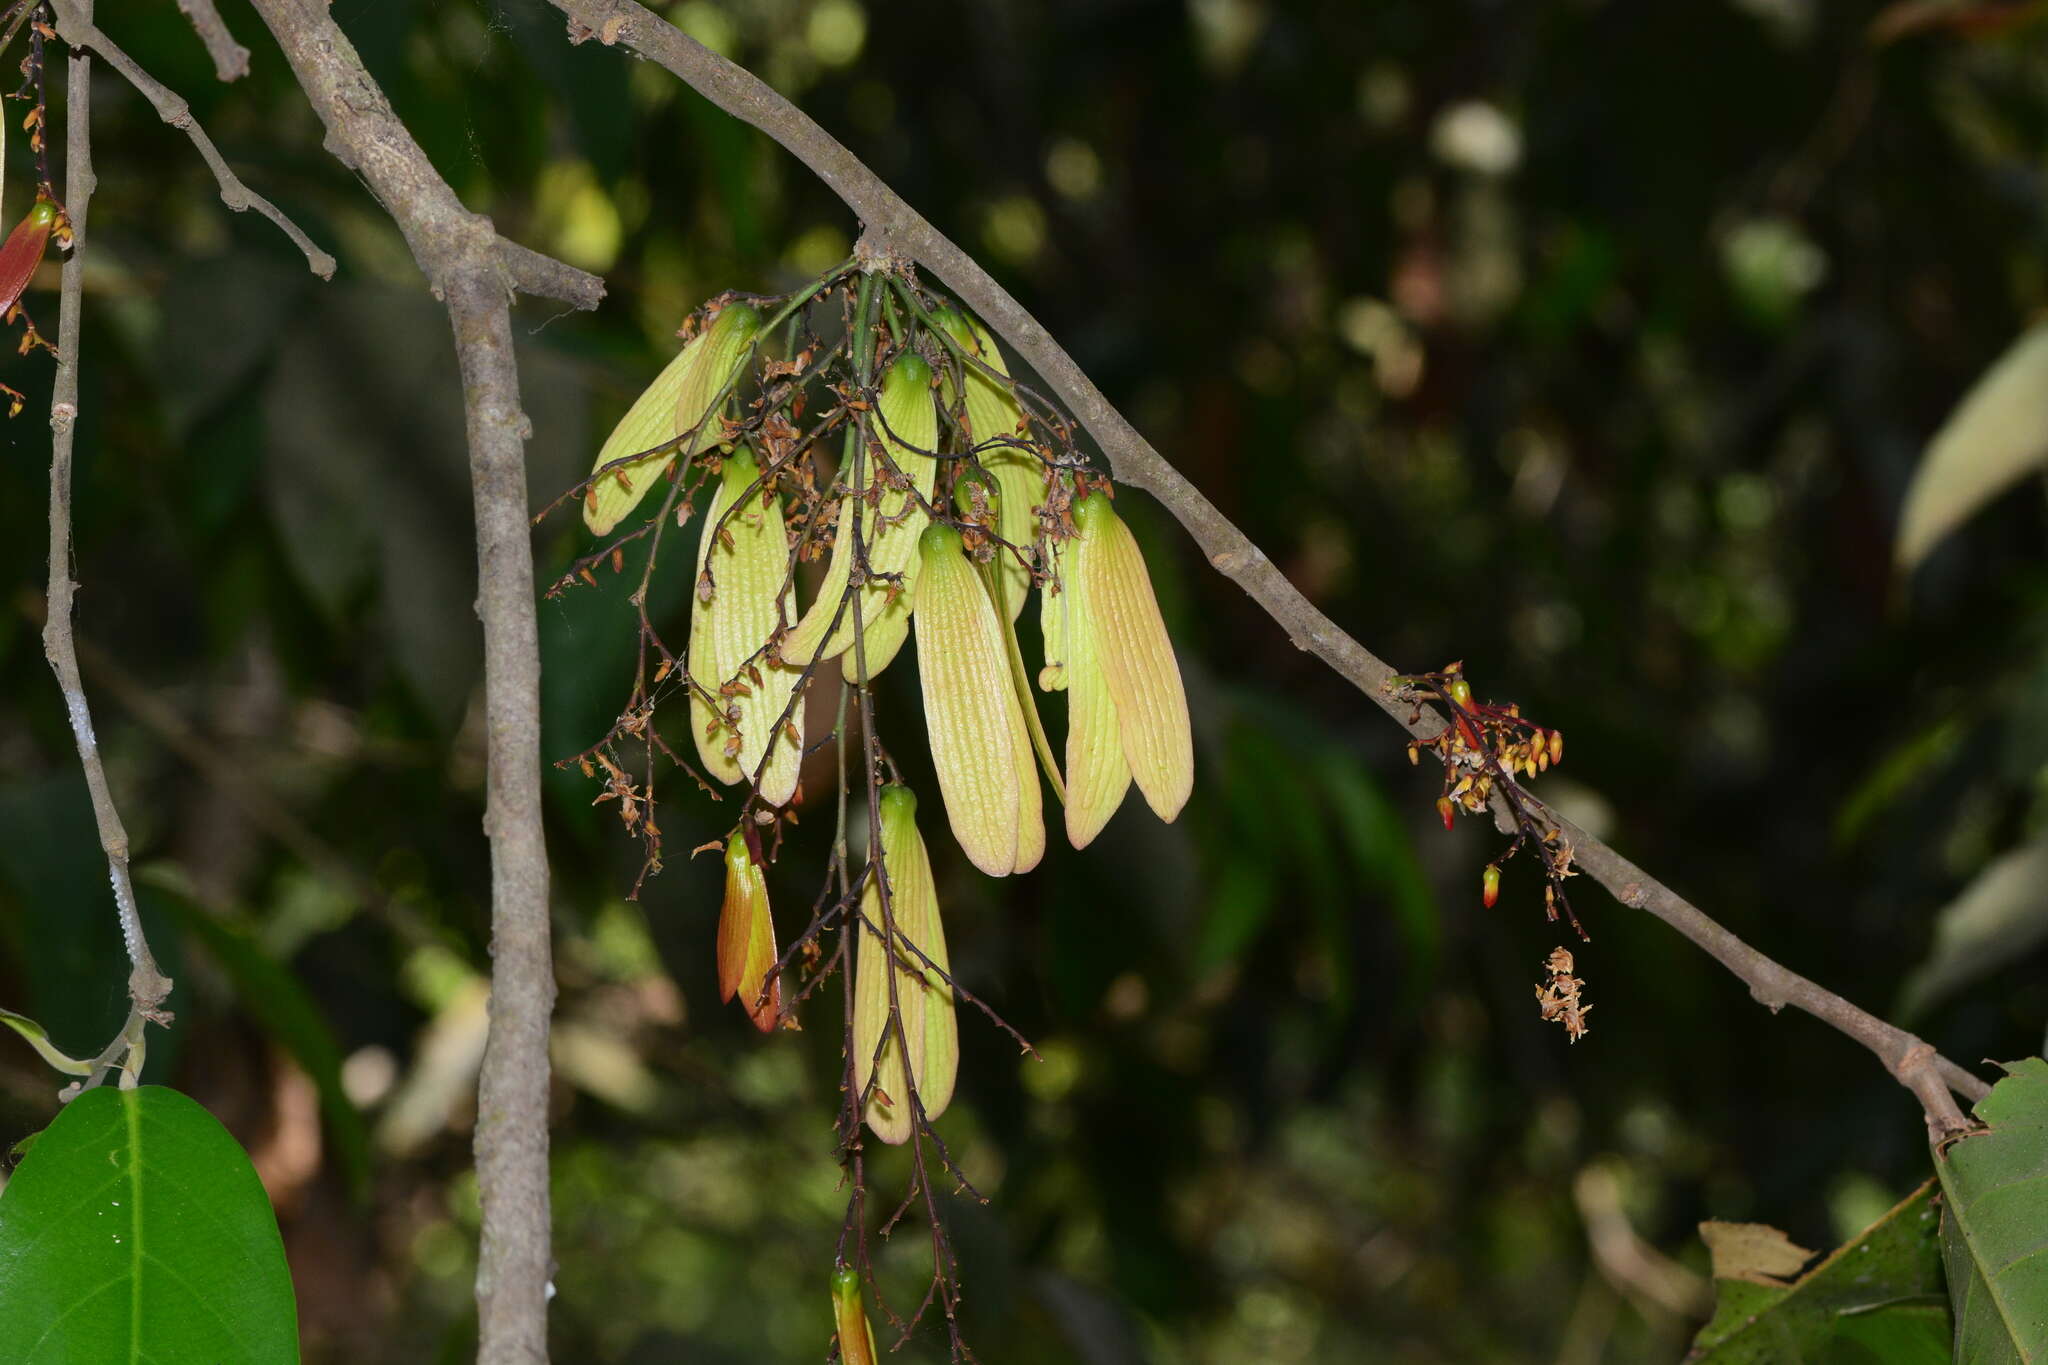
(683, 402)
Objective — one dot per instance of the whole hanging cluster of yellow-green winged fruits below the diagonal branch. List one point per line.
(951, 502)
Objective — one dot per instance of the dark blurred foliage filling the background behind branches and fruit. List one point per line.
(1588, 343)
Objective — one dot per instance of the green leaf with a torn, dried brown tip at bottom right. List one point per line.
(1871, 1301)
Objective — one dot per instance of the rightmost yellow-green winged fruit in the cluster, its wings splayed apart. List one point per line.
(1119, 654)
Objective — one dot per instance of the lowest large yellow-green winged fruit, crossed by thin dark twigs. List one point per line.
(929, 1049)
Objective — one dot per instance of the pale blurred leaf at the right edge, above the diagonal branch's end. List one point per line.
(1994, 439)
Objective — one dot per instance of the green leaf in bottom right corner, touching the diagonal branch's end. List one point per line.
(1996, 1223)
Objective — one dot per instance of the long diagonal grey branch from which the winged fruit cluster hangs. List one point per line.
(1134, 461)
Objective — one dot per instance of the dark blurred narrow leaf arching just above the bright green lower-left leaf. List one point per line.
(288, 1014)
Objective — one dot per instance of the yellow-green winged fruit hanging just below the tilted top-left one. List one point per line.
(738, 699)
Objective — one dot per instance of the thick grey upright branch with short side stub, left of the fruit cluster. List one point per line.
(468, 269)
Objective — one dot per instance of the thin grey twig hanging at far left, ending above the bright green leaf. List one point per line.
(148, 987)
